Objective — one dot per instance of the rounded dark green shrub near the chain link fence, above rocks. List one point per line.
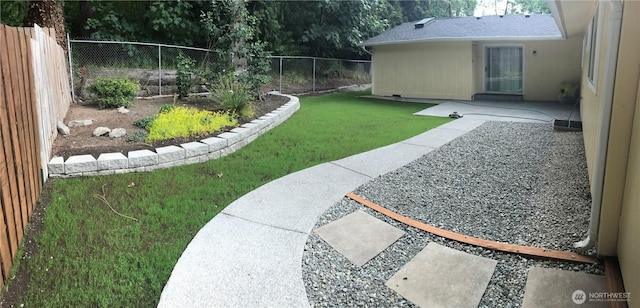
(114, 92)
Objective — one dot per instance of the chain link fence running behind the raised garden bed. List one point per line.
(154, 66)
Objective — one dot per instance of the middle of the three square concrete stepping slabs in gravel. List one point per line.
(439, 276)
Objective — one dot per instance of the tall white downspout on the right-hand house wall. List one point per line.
(605, 128)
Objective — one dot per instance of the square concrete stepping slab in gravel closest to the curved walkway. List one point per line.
(359, 236)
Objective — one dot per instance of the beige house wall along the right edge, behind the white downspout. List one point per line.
(620, 211)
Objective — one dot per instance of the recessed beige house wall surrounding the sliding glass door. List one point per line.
(553, 62)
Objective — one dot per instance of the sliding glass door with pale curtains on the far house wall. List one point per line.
(503, 71)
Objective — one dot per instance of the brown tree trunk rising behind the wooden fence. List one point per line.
(48, 14)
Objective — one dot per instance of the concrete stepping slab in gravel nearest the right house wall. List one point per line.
(548, 287)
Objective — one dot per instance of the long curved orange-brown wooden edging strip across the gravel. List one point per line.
(506, 247)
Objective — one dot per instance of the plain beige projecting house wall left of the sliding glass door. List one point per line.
(440, 70)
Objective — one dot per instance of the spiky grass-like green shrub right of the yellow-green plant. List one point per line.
(232, 94)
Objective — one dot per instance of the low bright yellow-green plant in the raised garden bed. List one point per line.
(185, 122)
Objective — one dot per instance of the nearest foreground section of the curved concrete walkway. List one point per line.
(233, 262)
